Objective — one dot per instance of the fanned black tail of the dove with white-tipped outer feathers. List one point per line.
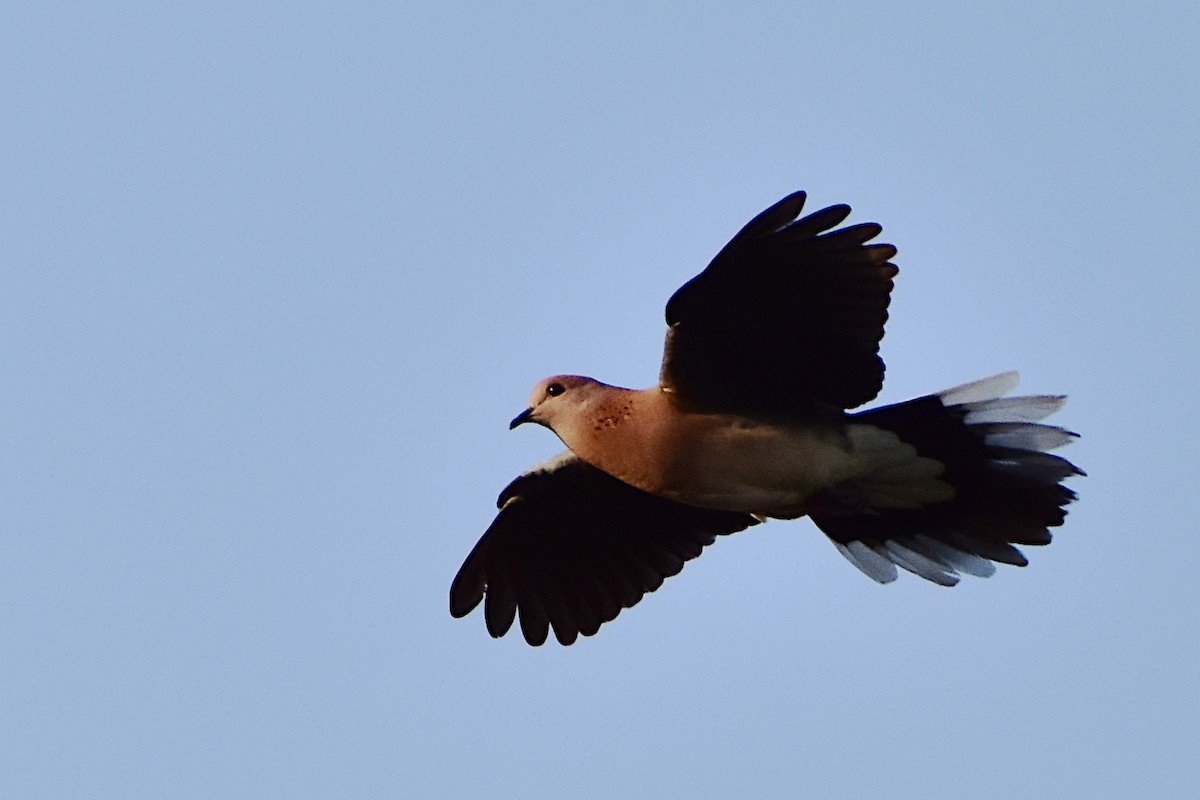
(1007, 486)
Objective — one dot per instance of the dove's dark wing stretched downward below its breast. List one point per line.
(573, 546)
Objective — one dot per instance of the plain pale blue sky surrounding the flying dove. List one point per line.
(275, 276)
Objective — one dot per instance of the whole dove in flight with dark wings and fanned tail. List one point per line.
(770, 351)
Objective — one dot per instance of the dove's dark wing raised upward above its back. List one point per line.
(787, 320)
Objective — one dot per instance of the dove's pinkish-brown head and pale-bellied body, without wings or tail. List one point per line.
(730, 462)
